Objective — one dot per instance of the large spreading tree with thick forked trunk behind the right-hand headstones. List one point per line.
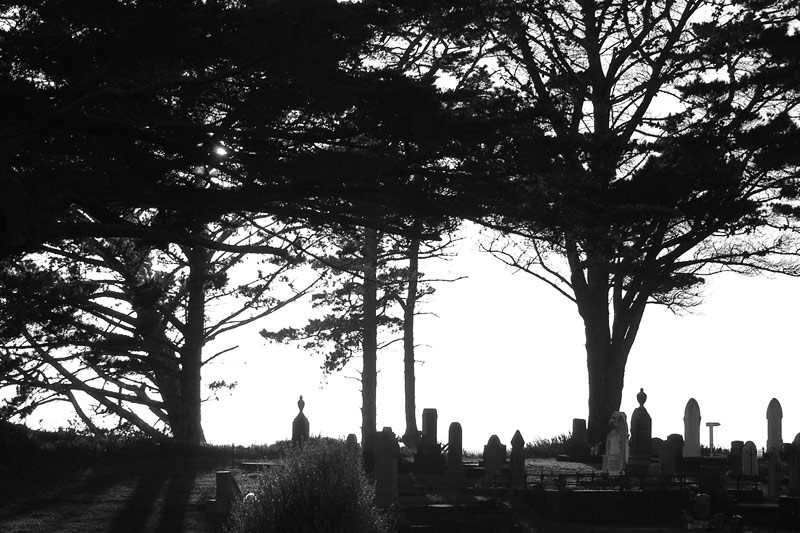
(654, 144)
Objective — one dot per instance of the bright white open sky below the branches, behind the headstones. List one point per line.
(506, 352)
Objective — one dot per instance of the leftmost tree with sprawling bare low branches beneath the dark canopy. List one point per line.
(124, 324)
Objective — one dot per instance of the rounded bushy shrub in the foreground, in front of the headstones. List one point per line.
(317, 487)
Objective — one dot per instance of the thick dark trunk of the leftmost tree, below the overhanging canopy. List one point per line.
(190, 428)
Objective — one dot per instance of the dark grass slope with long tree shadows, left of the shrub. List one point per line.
(65, 482)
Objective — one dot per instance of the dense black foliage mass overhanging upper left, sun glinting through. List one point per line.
(202, 108)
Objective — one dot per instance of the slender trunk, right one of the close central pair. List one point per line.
(411, 436)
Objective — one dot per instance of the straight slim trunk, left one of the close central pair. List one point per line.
(369, 373)
